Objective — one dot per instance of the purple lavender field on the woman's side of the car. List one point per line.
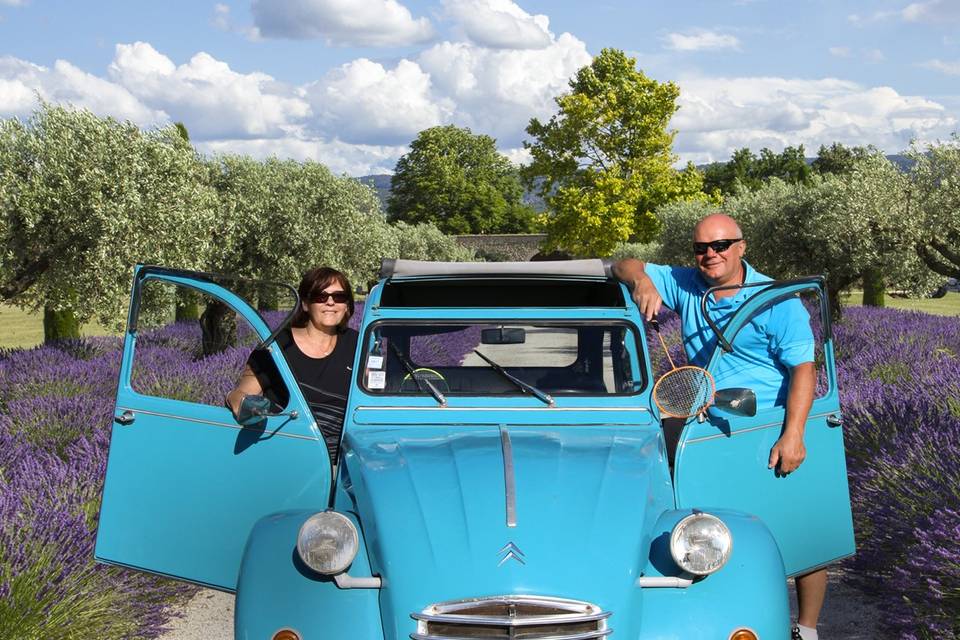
(56, 408)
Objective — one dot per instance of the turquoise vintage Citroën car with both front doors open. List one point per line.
(503, 473)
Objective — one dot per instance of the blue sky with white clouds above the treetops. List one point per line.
(350, 82)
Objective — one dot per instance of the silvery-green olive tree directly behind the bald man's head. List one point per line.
(851, 228)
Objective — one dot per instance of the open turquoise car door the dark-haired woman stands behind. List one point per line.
(185, 483)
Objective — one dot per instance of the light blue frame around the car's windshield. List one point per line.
(627, 324)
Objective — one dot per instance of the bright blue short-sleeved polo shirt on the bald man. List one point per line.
(776, 339)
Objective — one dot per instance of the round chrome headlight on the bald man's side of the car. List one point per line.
(701, 544)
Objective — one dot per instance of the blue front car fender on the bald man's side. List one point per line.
(749, 591)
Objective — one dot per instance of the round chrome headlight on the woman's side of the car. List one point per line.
(327, 542)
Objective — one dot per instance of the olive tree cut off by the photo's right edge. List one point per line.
(935, 197)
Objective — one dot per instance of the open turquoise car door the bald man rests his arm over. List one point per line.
(722, 461)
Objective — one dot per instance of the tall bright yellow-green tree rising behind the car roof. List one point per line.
(604, 162)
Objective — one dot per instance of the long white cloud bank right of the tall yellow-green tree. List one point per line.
(719, 115)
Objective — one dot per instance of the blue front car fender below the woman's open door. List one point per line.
(275, 590)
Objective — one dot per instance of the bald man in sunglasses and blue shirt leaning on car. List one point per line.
(780, 361)
